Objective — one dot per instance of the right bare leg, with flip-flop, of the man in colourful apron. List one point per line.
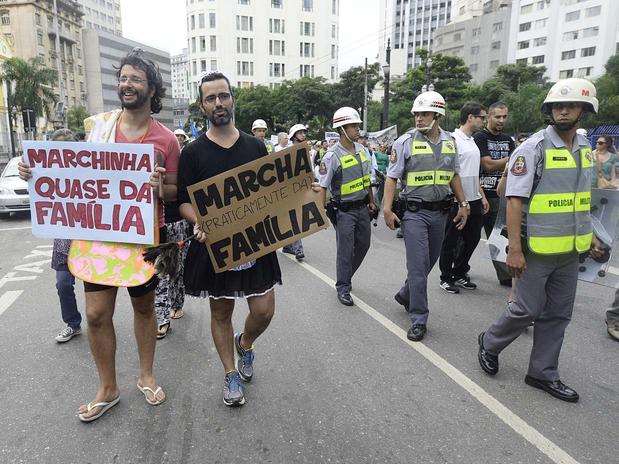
(145, 330)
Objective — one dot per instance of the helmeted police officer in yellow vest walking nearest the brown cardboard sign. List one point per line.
(345, 170)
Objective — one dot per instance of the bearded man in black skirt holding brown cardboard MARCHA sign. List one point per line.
(233, 186)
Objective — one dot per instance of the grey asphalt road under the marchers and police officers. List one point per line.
(333, 384)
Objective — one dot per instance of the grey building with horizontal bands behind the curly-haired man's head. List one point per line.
(105, 51)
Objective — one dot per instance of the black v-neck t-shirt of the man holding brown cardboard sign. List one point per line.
(203, 159)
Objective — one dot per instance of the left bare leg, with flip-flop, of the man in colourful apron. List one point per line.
(102, 339)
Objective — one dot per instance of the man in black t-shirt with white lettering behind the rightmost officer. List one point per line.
(495, 148)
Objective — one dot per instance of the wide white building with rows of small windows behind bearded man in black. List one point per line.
(262, 42)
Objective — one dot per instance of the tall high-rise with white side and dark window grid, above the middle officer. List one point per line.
(409, 25)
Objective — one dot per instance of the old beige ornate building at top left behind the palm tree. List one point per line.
(31, 26)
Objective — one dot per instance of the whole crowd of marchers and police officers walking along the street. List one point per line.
(439, 188)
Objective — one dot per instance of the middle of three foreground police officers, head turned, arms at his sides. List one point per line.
(426, 162)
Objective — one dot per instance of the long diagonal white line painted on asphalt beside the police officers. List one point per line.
(513, 421)
